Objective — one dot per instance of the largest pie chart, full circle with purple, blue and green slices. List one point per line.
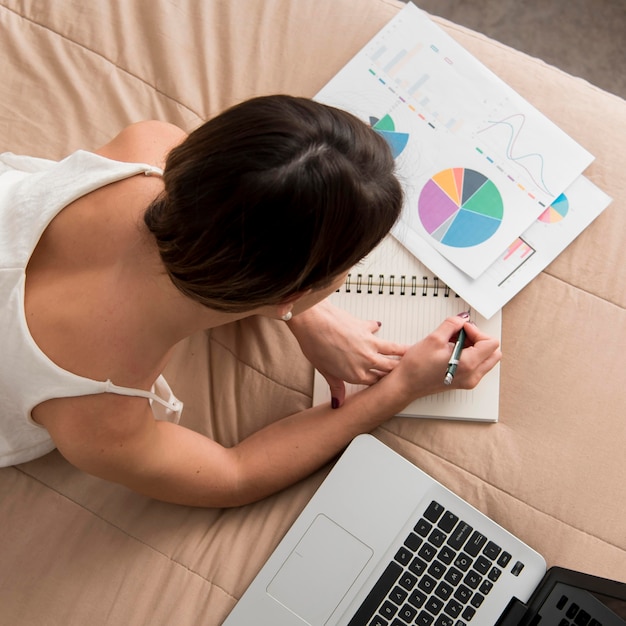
(460, 207)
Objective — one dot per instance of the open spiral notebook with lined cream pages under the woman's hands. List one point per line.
(391, 286)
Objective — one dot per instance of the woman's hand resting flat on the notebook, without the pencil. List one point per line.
(344, 348)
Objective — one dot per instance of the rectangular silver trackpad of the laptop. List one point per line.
(320, 570)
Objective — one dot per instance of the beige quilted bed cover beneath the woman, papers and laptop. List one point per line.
(76, 550)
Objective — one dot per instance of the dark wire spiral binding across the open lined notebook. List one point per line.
(403, 285)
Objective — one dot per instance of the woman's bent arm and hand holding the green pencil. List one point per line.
(172, 463)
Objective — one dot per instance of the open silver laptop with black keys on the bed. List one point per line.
(381, 543)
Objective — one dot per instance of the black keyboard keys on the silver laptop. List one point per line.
(439, 577)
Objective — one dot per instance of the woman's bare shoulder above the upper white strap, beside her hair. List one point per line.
(144, 142)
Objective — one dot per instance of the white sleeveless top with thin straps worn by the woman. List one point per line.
(32, 192)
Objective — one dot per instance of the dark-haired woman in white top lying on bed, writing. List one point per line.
(106, 266)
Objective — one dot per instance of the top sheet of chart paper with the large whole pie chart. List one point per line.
(478, 163)
